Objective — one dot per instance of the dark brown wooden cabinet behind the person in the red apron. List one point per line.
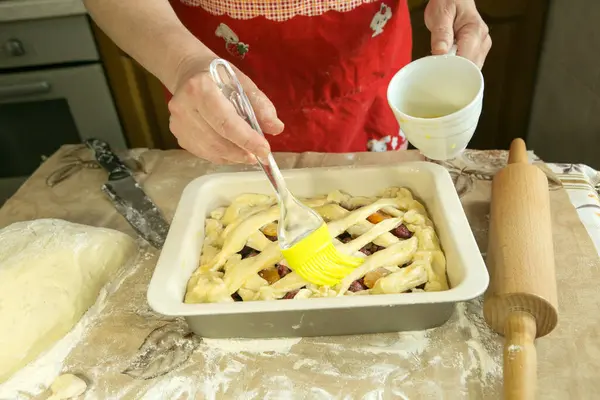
(517, 30)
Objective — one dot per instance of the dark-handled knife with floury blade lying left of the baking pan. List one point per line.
(128, 197)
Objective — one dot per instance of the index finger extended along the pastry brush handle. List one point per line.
(220, 114)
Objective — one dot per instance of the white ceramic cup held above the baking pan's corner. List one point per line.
(437, 101)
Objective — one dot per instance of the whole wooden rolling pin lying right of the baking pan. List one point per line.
(520, 302)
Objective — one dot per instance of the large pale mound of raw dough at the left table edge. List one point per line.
(51, 272)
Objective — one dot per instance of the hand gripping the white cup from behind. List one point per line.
(458, 21)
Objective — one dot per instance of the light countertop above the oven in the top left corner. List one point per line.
(16, 10)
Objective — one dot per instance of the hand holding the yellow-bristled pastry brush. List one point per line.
(206, 124)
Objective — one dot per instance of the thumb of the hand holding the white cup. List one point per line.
(439, 19)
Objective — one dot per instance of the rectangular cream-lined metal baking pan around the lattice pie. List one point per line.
(430, 183)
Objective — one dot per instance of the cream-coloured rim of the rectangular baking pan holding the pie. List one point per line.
(473, 285)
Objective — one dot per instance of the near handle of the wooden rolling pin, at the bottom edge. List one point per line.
(520, 358)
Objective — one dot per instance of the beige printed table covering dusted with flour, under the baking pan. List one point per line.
(126, 351)
